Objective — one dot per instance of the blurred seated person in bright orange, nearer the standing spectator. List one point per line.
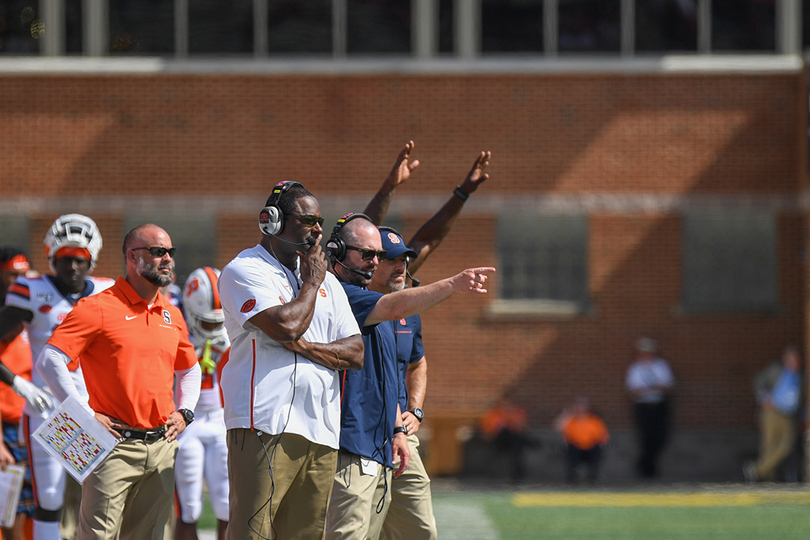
(585, 436)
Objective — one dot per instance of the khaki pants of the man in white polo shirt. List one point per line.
(279, 485)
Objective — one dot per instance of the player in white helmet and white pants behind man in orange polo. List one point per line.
(202, 451)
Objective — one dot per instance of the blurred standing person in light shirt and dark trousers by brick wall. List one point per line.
(649, 383)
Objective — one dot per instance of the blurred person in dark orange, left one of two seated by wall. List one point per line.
(504, 426)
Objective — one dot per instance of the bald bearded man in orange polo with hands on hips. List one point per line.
(131, 342)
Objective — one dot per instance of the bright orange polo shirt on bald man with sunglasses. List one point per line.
(128, 353)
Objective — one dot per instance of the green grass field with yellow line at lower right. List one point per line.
(694, 512)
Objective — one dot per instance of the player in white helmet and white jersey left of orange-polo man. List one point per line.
(40, 304)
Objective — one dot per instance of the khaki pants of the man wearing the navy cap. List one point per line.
(410, 516)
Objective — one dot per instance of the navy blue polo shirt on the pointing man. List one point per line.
(369, 397)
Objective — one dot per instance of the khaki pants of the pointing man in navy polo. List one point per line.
(359, 501)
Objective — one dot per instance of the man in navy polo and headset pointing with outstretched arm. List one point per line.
(371, 419)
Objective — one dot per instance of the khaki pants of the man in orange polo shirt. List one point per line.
(131, 490)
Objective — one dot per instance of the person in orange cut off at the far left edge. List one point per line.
(15, 354)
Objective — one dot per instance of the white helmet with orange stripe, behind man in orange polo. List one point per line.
(201, 304)
